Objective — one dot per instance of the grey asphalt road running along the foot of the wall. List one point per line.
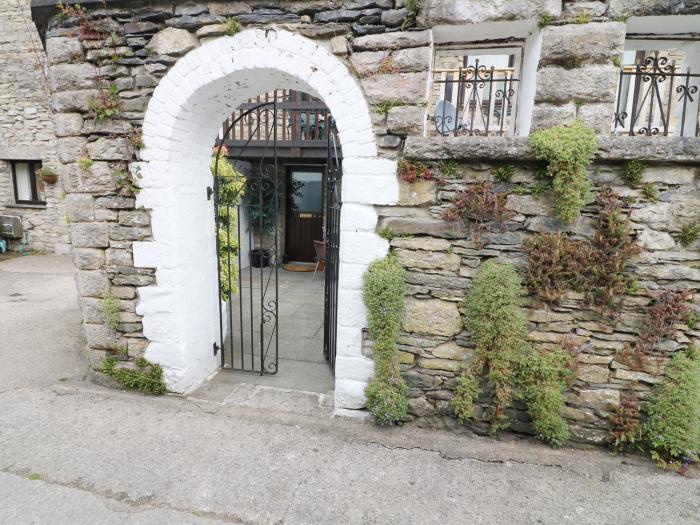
(73, 452)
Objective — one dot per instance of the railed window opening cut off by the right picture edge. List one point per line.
(657, 95)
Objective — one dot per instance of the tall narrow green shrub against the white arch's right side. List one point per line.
(384, 287)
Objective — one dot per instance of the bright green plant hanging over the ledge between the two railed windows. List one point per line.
(568, 151)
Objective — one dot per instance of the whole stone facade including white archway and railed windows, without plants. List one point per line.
(449, 91)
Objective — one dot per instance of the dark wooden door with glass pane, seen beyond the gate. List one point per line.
(304, 212)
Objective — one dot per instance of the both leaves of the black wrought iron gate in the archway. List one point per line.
(248, 299)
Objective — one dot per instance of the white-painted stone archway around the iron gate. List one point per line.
(180, 313)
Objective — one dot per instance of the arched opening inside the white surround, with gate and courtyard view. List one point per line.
(277, 171)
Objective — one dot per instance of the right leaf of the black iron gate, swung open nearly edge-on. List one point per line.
(333, 177)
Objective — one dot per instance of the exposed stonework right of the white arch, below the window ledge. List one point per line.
(441, 262)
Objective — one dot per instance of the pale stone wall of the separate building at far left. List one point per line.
(26, 132)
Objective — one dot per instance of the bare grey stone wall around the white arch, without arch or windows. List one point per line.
(576, 78)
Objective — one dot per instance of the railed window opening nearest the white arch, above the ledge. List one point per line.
(475, 91)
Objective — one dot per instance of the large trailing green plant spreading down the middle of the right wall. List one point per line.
(513, 369)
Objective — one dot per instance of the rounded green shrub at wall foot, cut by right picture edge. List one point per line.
(672, 429)
